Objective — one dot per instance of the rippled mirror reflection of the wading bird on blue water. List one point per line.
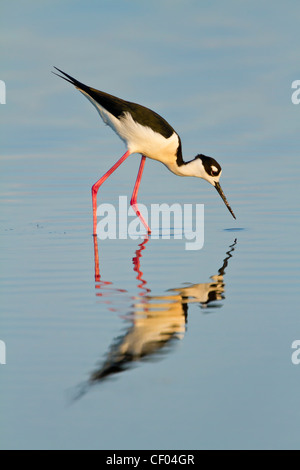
(155, 321)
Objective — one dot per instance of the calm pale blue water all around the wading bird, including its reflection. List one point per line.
(154, 346)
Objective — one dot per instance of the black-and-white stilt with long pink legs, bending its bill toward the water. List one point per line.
(147, 133)
